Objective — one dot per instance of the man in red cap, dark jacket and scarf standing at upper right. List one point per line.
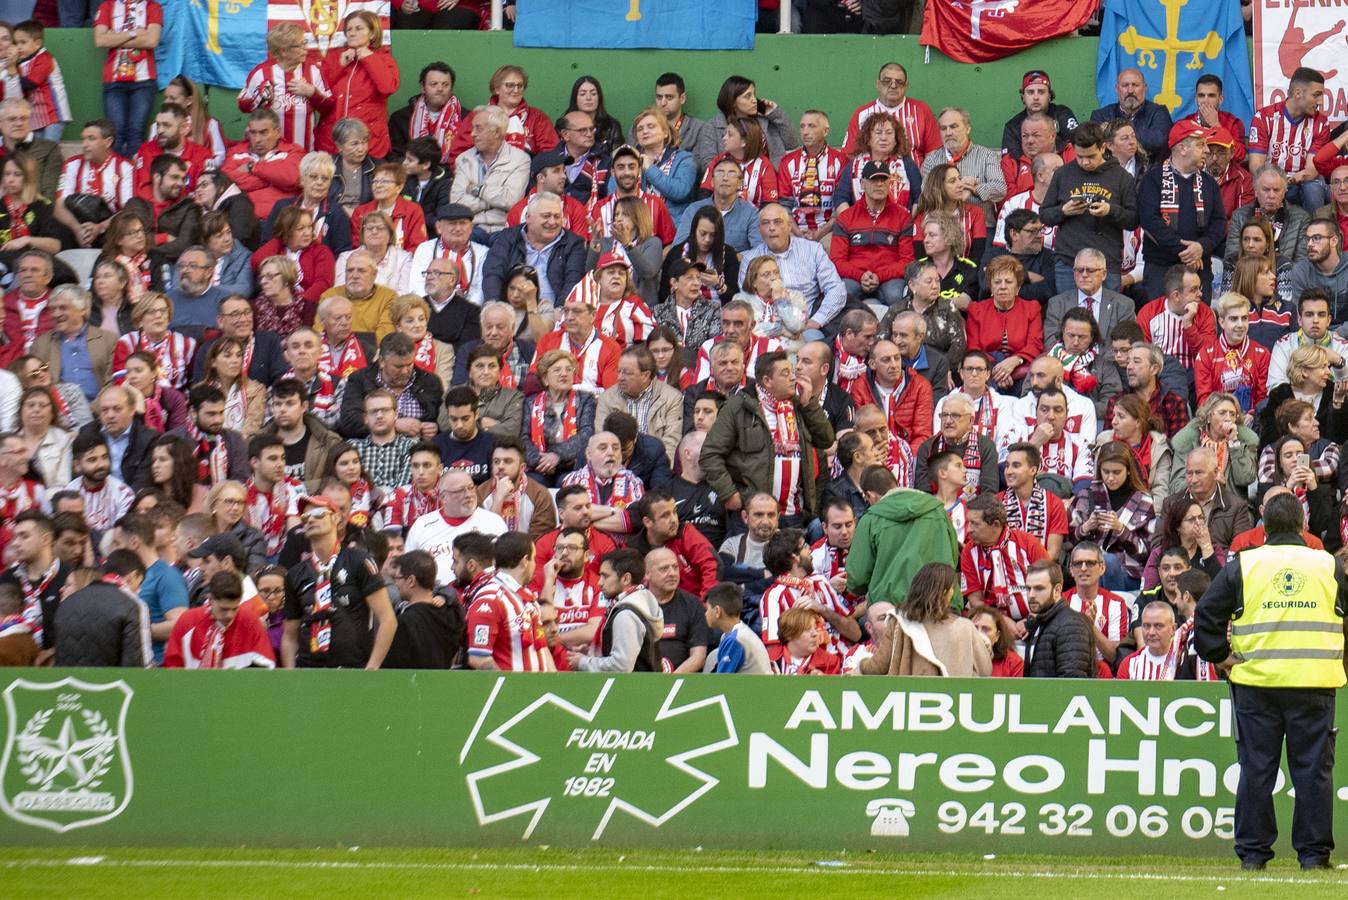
(1180, 212)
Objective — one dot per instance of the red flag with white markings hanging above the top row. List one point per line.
(983, 30)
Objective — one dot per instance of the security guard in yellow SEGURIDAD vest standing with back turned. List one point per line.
(1285, 604)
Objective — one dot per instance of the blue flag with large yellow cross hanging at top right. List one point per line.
(1176, 42)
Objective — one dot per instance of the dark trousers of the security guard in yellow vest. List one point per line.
(1306, 719)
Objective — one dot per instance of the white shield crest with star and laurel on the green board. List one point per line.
(65, 762)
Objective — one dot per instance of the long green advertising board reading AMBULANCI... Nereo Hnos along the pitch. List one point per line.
(118, 758)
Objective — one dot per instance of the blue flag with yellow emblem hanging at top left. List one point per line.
(214, 42)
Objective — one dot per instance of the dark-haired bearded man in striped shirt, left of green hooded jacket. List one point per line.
(789, 560)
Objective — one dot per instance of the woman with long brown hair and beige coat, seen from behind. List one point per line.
(925, 637)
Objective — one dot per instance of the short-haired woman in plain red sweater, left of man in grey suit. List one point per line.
(1008, 328)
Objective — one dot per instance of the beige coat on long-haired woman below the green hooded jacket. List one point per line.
(954, 649)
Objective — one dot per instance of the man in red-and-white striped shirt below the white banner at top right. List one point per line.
(1289, 135)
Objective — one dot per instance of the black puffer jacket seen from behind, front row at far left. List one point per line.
(103, 626)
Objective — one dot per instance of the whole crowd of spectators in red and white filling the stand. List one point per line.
(436, 387)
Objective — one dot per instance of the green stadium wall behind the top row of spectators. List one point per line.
(835, 73)
